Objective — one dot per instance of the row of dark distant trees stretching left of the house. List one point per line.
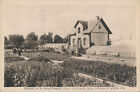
(32, 40)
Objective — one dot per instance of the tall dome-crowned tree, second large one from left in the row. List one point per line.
(30, 41)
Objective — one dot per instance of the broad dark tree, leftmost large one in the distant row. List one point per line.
(16, 40)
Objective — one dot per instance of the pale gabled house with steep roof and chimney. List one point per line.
(89, 33)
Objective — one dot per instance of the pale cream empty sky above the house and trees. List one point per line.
(42, 16)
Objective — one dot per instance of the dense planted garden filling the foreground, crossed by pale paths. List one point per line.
(39, 71)
